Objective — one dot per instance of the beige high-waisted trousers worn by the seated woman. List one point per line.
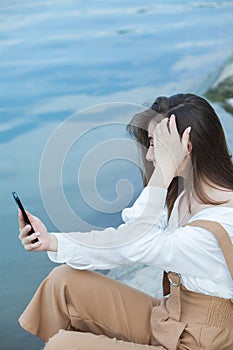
(84, 310)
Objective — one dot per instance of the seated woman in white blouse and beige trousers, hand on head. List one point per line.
(93, 311)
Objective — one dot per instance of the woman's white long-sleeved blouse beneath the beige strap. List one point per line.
(146, 237)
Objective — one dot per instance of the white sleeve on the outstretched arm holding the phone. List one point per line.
(187, 250)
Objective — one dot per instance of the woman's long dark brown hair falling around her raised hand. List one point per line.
(211, 159)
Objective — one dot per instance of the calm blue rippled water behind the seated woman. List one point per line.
(61, 57)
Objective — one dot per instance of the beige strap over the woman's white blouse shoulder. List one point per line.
(222, 237)
